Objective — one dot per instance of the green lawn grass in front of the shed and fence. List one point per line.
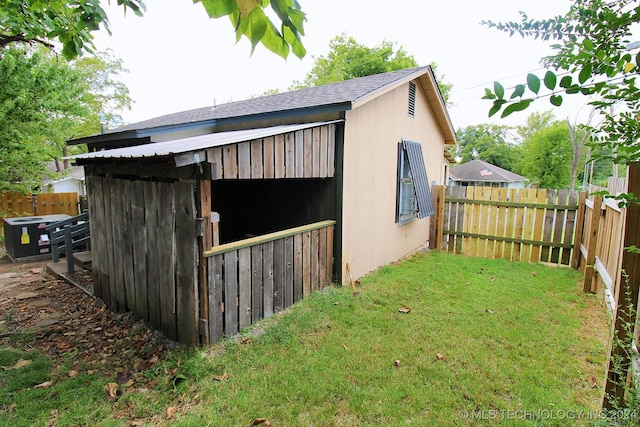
(482, 336)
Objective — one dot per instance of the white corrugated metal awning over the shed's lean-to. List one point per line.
(194, 143)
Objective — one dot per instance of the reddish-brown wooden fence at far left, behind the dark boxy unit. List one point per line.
(17, 204)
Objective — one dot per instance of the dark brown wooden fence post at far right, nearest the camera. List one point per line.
(618, 373)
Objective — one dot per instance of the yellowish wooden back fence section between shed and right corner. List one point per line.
(529, 225)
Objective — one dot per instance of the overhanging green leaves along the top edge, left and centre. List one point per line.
(71, 22)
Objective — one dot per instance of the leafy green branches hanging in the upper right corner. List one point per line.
(593, 58)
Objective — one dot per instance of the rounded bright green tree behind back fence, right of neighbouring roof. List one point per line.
(546, 157)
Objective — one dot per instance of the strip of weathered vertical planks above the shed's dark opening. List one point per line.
(308, 153)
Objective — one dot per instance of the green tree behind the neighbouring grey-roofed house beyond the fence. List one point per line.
(487, 142)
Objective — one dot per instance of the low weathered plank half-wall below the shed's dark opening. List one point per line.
(256, 281)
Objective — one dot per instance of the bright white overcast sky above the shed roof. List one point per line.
(178, 59)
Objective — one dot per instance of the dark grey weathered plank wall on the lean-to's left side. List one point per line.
(147, 260)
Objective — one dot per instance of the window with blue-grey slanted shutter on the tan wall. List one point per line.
(413, 199)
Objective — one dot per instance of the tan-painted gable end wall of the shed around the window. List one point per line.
(371, 237)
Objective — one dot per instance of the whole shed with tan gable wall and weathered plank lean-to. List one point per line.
(208, 220)
